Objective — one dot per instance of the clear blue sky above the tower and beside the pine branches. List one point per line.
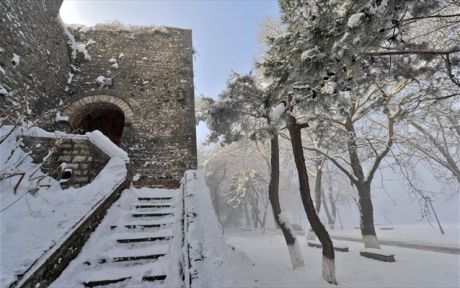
(224, 31)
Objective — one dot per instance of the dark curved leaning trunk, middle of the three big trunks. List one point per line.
(318, 227)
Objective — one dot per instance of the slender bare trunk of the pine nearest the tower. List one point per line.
(273, 194)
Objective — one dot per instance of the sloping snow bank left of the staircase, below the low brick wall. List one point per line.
(33, 224)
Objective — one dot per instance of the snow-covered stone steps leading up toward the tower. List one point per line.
(130, 247)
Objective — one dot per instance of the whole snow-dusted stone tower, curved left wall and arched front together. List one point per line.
(135, 84)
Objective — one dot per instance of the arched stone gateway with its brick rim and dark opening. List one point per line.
(109, 114)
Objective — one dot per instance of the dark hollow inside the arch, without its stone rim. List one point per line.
(107, 118)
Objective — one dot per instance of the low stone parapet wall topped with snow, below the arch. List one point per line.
(80, 155)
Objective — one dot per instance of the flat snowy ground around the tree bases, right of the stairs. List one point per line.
(263, 261)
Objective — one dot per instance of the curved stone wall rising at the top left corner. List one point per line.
(38, 74)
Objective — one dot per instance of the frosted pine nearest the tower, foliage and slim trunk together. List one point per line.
(244, 111)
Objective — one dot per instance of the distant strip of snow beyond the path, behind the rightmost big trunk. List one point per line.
(414, 233)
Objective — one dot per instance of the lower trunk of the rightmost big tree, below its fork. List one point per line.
(367, 216)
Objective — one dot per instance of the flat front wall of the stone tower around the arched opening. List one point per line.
(151, 69)
